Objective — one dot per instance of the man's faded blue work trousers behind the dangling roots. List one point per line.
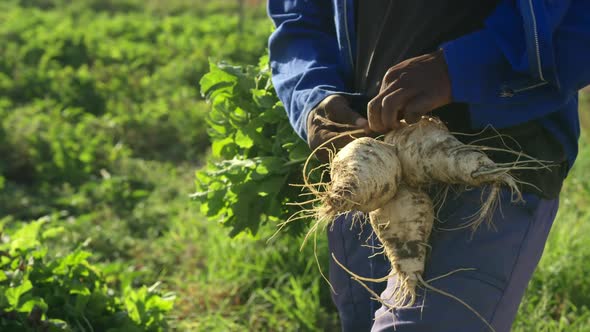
(503, 260)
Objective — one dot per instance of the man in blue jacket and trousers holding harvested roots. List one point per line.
(516, 65)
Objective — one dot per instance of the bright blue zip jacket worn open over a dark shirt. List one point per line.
(528, 62)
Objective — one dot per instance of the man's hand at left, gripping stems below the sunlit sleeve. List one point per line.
(332, 117)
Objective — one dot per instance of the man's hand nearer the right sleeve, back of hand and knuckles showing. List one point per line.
(409, 90)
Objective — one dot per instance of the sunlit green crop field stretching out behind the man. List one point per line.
(102, 127)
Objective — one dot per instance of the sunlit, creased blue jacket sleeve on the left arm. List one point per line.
(305, 57)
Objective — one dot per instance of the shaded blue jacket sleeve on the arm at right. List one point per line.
(482, 63)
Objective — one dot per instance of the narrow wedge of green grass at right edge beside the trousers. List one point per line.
(558, 297)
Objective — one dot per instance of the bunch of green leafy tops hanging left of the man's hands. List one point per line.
(256, 155)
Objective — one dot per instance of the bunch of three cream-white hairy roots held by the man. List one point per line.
(388, 180)
